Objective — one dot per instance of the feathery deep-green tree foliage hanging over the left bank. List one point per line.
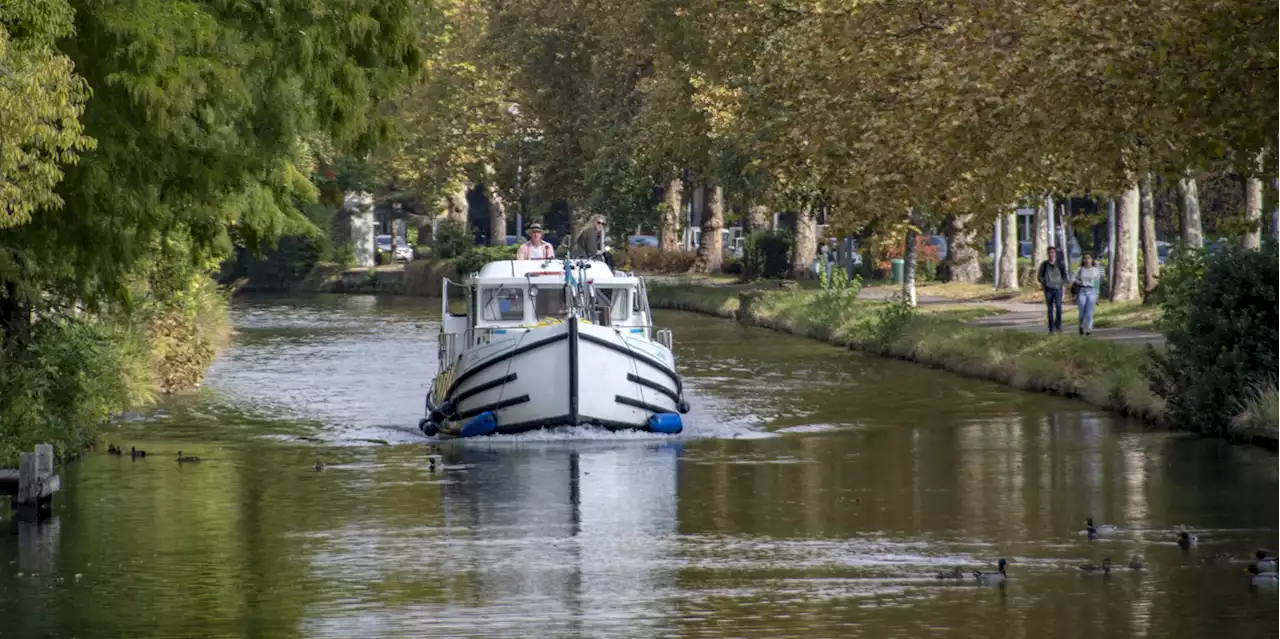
(203, 113)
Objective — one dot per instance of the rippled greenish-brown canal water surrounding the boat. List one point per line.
(815, 494)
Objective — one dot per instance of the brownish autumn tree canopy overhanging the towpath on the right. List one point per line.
(879, 108)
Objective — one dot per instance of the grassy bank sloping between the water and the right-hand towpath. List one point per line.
(1101, 373)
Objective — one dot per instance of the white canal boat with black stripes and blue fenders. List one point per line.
(552, 344)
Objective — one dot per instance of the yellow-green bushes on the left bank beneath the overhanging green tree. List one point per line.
(79, 371)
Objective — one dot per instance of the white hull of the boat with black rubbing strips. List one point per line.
(556, 376)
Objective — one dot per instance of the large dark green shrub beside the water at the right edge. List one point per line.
(1223, 325)
